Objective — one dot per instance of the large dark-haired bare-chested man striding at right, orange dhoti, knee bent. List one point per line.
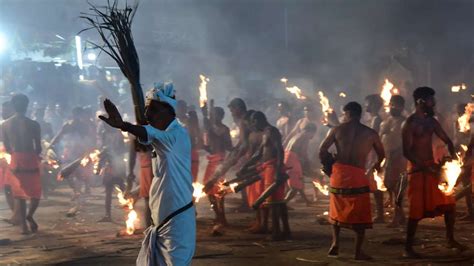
(426, 200)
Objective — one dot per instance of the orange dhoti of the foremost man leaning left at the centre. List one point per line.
(269, 175)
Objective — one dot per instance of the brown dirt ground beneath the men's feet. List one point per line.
(80, 240)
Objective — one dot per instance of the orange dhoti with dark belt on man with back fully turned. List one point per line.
(349, 202)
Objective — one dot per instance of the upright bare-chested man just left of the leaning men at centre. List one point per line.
(217, 144)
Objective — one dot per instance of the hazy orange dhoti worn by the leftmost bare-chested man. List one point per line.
(25, 169)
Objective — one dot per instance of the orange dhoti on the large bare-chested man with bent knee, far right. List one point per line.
(426, 200)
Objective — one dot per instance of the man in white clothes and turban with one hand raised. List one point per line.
(172, 237)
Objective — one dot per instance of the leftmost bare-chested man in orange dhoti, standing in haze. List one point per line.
(22, 139)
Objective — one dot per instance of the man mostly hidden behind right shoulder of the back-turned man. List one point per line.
(373, 105)
